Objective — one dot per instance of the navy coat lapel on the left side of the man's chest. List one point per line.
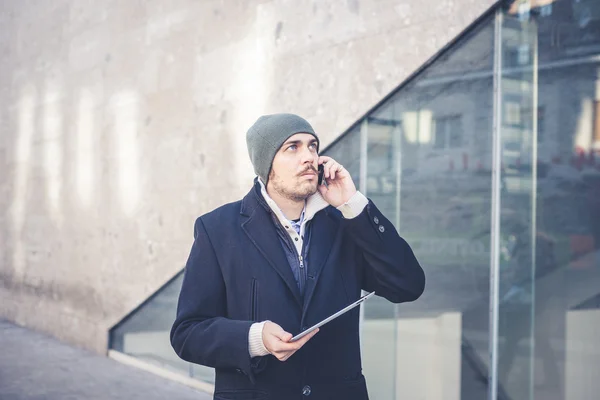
(260, 229)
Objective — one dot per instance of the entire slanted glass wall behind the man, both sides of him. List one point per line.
(488, 163)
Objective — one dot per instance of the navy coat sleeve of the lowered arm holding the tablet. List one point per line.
(201, 333)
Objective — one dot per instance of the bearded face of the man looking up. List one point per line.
(294, 171)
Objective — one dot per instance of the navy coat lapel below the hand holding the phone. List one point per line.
(323, 233)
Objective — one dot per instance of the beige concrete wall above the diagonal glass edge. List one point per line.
(121, 121)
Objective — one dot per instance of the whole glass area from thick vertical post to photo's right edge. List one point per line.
(550, 304)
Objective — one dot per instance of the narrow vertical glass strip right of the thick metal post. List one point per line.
(517, 206)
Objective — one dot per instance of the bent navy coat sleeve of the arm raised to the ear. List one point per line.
(390, 268)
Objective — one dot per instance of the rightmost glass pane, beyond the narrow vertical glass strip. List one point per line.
(562, 346)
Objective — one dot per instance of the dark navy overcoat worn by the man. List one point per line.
(237, 273)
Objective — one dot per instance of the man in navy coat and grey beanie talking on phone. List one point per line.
(289, 254)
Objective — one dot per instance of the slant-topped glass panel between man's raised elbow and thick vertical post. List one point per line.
(428, 163)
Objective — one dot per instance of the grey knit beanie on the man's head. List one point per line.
(268, 134)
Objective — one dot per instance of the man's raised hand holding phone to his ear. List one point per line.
(340, 187)
